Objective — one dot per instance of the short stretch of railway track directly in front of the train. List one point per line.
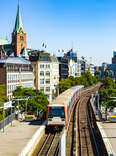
(50, 145)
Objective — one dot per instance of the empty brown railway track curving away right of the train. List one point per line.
(79, 130)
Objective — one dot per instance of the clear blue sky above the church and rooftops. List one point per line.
(90, 25)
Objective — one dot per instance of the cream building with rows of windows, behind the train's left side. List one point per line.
(46, 71)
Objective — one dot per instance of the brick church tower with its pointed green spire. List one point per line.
(18, 36)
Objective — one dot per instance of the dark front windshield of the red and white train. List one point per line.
(56, 111)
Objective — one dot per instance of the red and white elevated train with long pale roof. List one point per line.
(58, 112)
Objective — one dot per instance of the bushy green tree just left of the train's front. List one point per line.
(36, 99)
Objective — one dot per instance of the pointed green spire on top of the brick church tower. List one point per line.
(18, 22)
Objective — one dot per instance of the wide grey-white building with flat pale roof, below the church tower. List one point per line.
(15, 71)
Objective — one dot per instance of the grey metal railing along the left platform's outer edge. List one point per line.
(7, 120)
